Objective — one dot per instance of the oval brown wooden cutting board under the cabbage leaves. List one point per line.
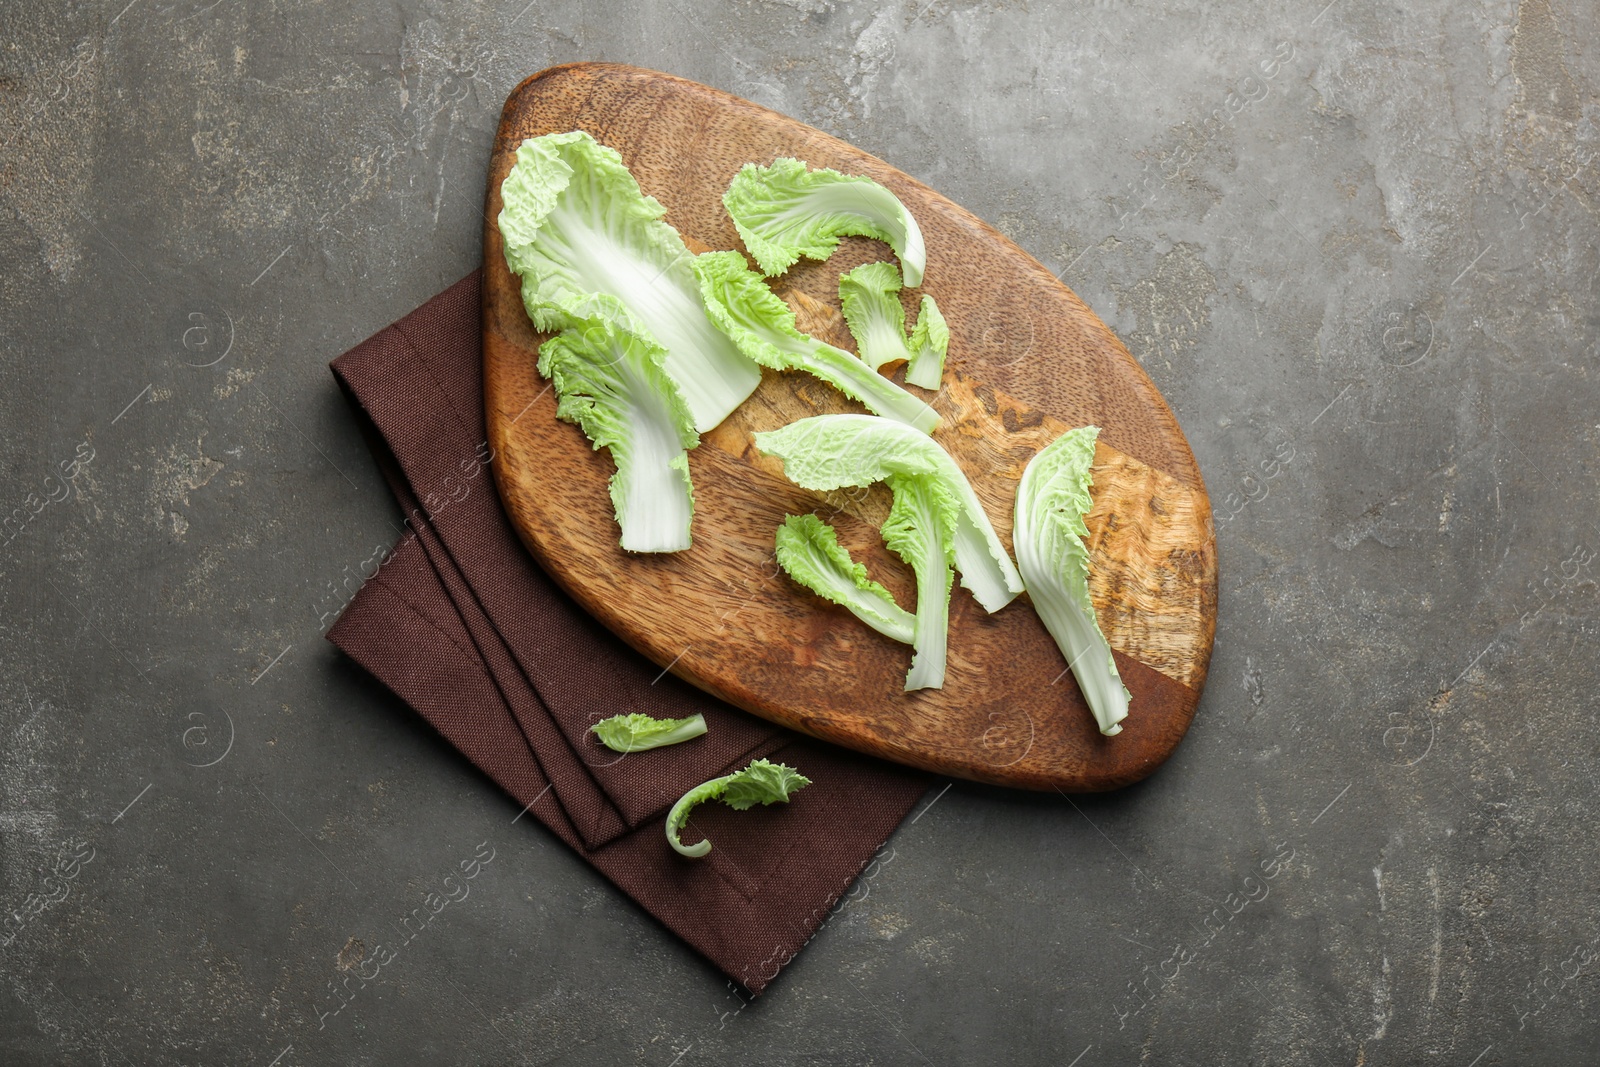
(1028, 361)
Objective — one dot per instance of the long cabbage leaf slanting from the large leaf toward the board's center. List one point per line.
(761, 324)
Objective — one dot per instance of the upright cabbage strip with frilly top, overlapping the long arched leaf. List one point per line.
(921, 530)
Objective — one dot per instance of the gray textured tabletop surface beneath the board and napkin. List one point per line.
(1356, 246)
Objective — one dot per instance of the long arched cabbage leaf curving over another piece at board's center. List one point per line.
(831, 452)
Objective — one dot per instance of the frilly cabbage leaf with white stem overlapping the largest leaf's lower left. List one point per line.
(612, 385)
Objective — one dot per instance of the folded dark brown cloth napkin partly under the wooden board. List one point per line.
(466, 629)
